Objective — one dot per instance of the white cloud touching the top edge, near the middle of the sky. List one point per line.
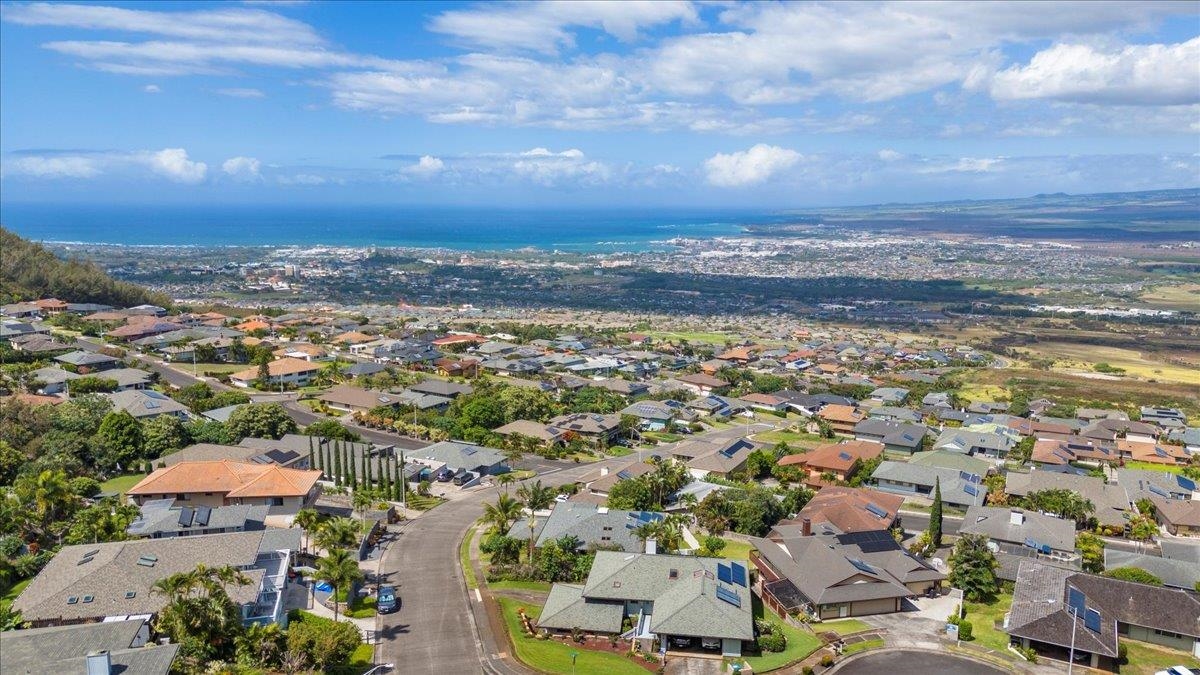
(545, 27)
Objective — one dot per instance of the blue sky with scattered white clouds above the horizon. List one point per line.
(595, 104)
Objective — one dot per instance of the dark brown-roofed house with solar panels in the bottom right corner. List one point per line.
(1058, 612)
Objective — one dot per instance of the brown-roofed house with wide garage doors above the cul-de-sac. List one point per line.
(841, 576)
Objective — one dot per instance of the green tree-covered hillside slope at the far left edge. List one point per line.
(29, 272)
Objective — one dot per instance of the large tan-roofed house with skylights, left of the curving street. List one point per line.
(93, 583)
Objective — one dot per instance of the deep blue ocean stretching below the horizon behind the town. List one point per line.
(464, 229)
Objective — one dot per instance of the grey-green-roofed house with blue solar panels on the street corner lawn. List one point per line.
(665, 596)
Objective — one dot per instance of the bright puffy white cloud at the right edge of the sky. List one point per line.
(1137, 75)
